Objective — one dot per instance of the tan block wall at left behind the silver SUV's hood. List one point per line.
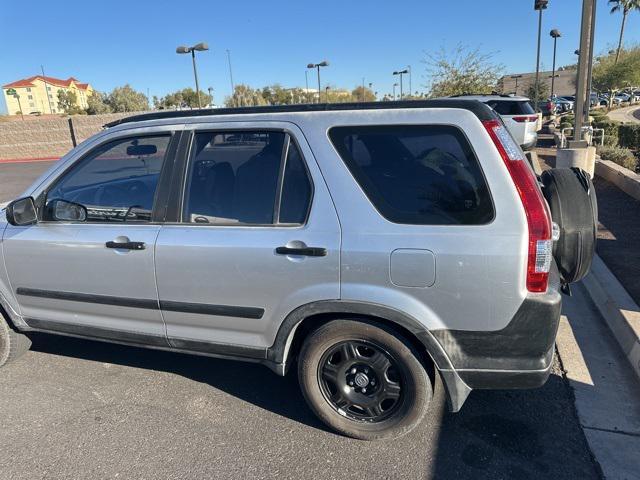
(38, 137)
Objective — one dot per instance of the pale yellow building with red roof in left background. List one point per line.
(39, 94)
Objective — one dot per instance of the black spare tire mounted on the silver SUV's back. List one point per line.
(572, 201)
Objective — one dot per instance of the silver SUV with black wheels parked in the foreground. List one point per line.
(374, 246)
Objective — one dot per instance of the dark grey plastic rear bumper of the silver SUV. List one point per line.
(518, 356)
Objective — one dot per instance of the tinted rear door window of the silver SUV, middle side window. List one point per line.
(237, 178)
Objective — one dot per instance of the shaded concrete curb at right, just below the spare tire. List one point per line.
(618, 309)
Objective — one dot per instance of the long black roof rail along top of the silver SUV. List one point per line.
(479, 109)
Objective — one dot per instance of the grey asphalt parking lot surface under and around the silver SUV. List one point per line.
(80, 409)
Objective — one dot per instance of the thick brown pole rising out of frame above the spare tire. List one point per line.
(582, 96)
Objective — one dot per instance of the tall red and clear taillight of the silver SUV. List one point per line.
(535, 207)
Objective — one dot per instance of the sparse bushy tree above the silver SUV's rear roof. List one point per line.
(461, 71)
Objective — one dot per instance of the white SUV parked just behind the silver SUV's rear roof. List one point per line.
(517, 114)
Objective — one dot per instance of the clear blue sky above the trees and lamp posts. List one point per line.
(110, 43)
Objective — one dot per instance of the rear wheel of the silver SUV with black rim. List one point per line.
(364, 352)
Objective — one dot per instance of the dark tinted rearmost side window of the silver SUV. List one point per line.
(417, 174)
